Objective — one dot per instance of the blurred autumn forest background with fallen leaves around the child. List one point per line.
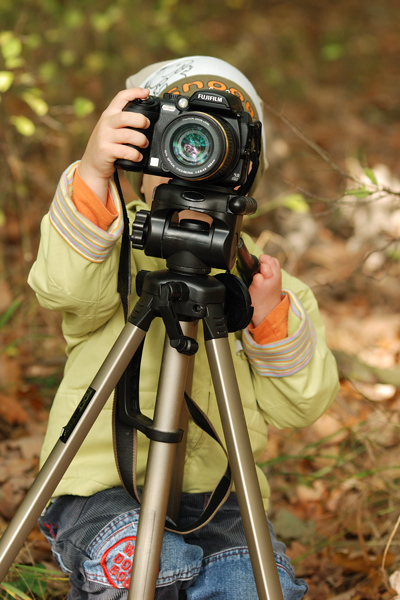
(329, 209)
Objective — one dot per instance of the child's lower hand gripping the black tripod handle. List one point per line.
(266, 288)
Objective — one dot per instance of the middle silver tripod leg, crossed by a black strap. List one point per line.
(159, 471)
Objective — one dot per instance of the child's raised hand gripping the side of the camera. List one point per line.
(108, 141)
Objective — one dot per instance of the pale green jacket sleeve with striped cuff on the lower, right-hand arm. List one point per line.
(295, 379)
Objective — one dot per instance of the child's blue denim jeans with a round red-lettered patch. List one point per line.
(93, 540)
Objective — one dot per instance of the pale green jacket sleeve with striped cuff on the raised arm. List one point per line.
(76, 268)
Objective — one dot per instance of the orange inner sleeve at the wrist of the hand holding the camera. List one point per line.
(89, 205)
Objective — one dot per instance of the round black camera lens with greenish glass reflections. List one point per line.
(198, 147)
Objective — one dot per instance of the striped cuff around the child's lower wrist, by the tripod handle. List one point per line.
(284, 357)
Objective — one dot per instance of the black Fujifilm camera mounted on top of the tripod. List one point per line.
(206, 138)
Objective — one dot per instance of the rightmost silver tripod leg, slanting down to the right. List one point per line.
(243, 469)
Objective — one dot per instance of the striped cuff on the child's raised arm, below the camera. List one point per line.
(80, 233)
